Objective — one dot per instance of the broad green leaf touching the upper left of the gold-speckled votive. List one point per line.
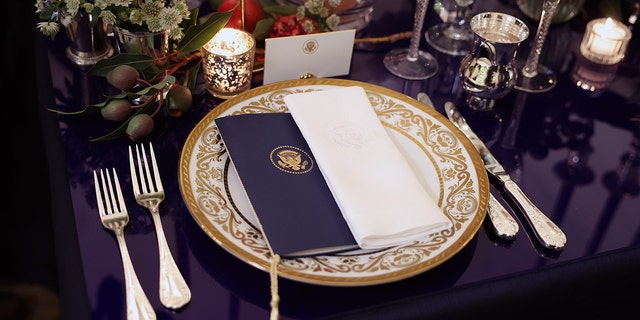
(198, 35)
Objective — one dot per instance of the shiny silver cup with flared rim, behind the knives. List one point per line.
(488, 72)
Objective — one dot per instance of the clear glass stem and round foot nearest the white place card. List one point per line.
(412, 63)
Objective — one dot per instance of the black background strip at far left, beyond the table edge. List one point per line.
(28, 275)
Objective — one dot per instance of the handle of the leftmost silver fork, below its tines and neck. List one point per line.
(138, 306)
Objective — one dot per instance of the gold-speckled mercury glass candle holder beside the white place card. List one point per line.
(227, 62)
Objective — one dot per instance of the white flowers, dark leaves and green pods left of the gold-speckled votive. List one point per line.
(147, 85)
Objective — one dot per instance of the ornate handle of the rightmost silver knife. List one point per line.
(545, 230)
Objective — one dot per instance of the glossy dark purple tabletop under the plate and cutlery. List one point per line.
(575, 153)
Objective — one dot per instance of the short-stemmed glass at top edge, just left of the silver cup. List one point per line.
(453, 36)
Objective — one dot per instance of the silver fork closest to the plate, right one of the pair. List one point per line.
(148, 190)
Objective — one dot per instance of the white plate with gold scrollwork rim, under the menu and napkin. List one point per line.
(448, 165)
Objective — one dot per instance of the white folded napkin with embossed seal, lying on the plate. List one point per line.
(379, 194)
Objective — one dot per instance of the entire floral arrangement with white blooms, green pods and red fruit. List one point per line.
(150, 85)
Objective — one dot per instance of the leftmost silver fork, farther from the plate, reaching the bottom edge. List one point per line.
(114, 216)
